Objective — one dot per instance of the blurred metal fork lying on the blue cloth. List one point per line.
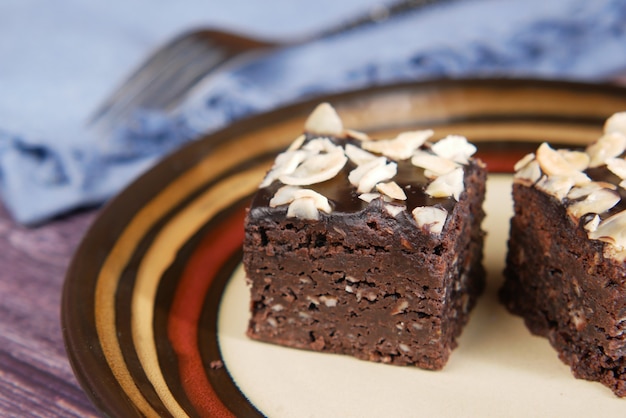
(168, 74)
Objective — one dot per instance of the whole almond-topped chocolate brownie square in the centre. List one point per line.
(370, 248)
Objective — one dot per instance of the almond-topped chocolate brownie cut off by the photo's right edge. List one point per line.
(566, 272)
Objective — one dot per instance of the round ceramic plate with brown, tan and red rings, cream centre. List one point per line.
(155, 306)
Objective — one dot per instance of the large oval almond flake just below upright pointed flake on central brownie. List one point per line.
(316, 169)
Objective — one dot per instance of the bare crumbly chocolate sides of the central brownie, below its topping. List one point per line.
(377, 287)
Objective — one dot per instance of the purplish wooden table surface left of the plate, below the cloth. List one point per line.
(36, 378)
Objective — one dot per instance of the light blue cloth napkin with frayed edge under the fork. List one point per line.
(57, 63)
